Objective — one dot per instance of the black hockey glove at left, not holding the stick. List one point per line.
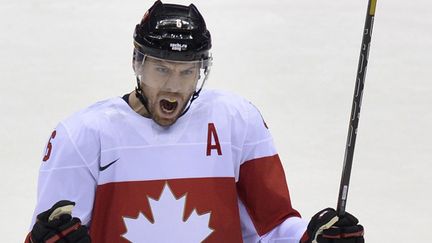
(57, 225)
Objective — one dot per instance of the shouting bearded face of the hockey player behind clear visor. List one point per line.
(168, 86)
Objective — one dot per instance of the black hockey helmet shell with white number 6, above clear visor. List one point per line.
(174, 32)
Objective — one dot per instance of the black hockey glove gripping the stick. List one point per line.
(327, 227)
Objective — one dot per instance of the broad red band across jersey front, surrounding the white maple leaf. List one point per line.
(127, 199)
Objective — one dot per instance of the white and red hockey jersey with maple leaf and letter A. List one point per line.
(213, 176)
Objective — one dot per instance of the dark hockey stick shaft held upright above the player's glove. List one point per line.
(355, 110)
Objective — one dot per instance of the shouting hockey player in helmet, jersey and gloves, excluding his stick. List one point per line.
(162, 165)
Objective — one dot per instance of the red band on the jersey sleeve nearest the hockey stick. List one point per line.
(263, 190)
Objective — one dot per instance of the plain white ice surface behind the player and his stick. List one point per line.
(295, 60)
